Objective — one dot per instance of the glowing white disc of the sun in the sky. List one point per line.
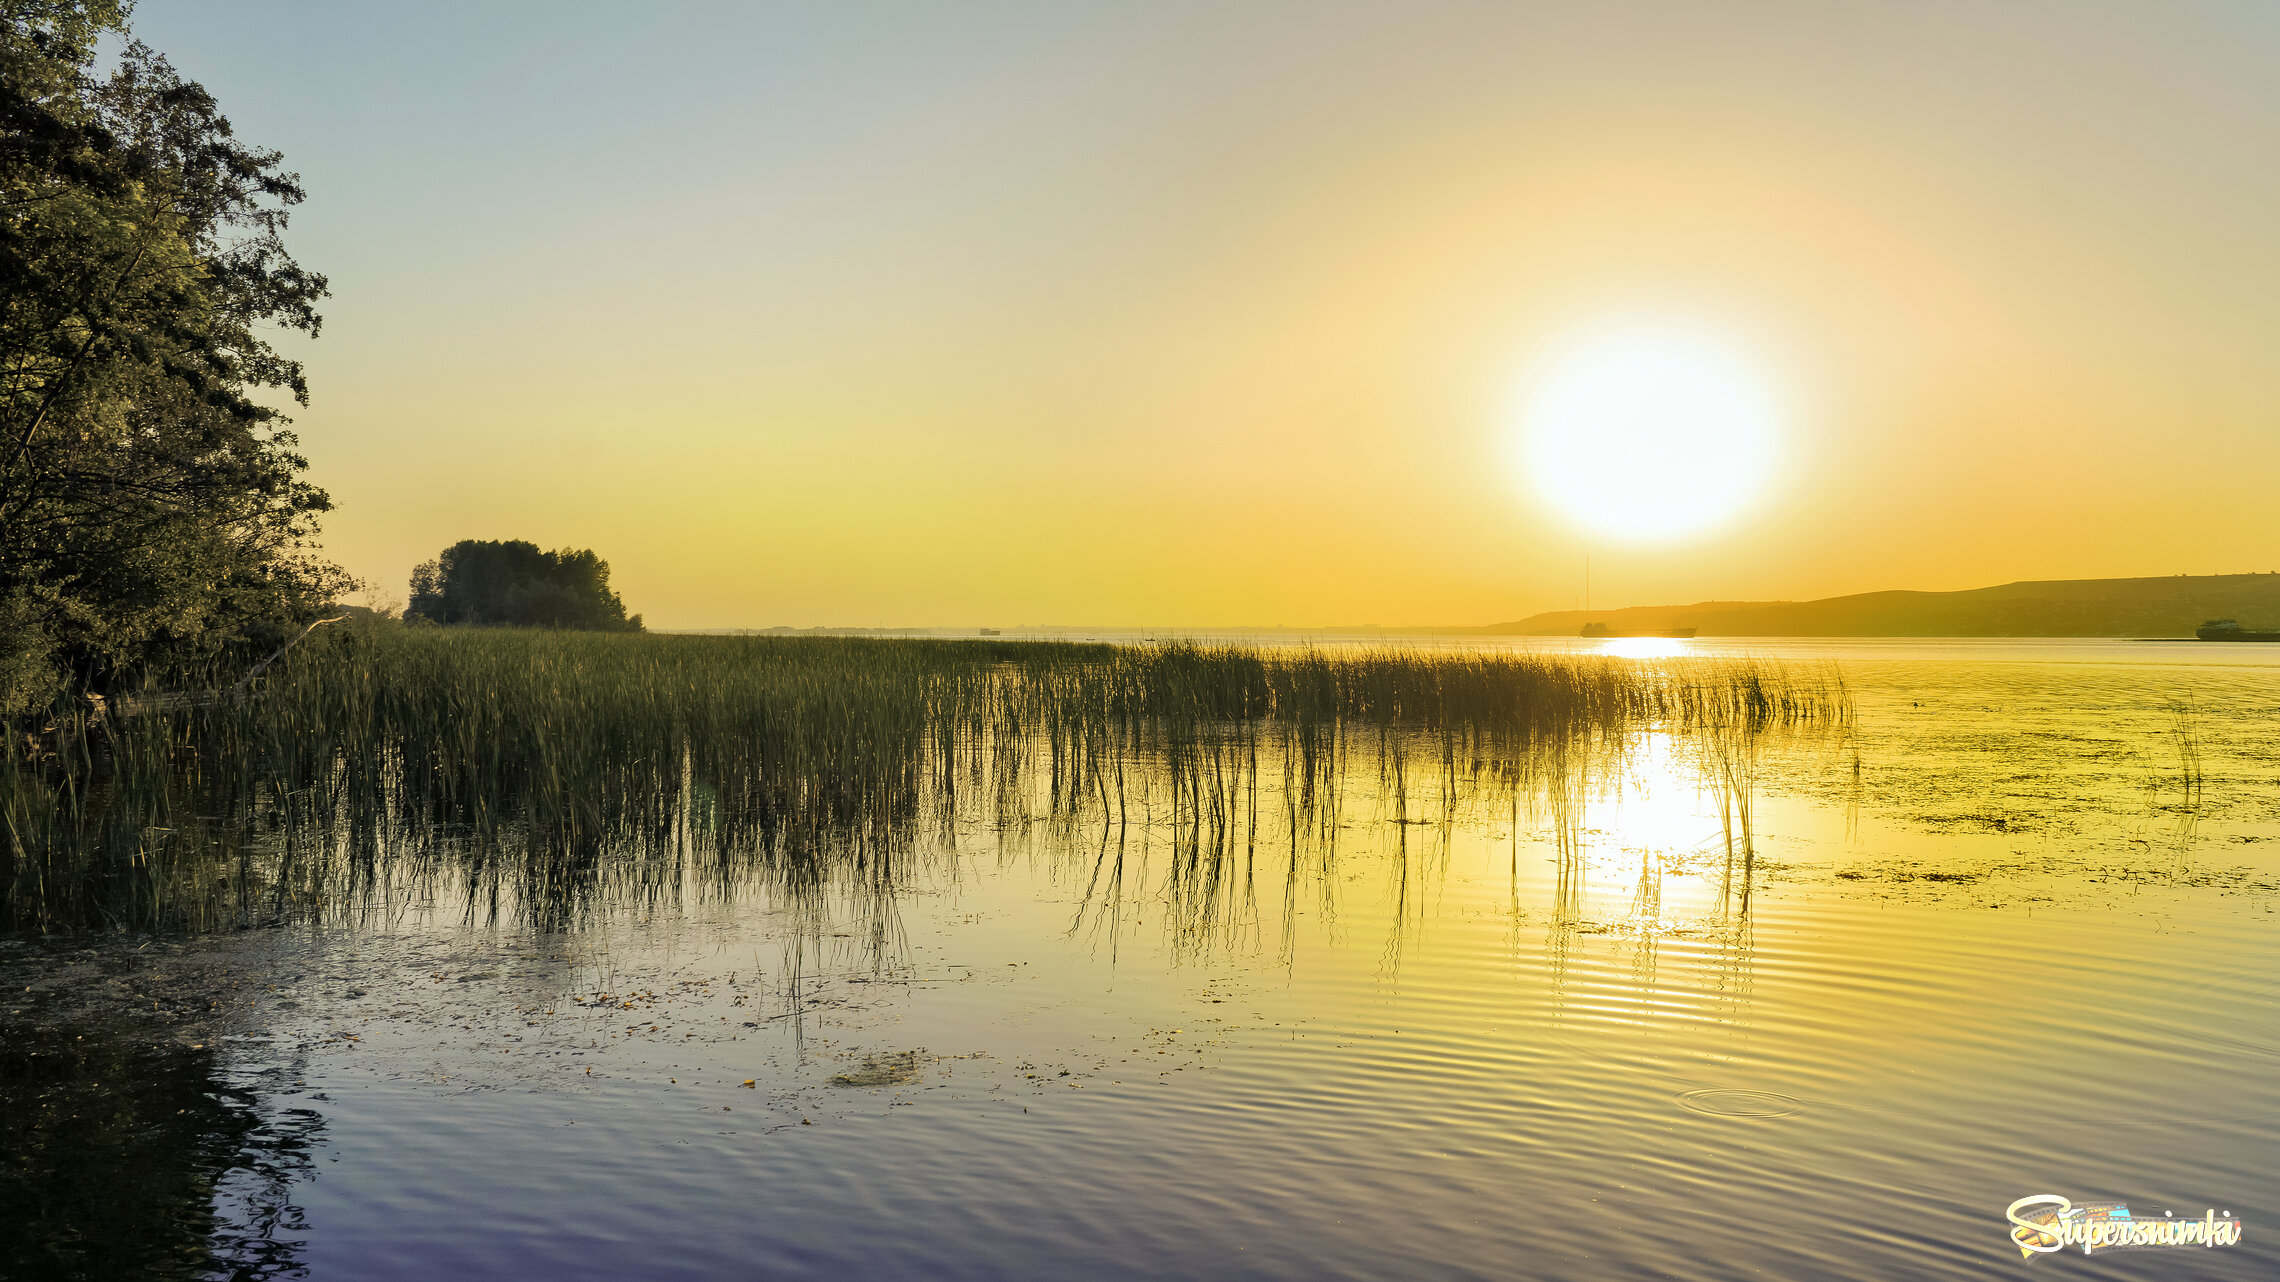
(1650, 430)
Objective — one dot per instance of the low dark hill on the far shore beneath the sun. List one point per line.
(2046, 608)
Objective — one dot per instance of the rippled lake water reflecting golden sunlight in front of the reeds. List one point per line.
(2014, 932)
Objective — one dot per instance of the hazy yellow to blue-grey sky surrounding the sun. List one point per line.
(1212, 314)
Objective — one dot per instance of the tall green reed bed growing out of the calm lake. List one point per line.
(555, 772)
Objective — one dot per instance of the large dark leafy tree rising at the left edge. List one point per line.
(149, 498)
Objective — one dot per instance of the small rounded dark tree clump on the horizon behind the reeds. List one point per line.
(516, 585)
